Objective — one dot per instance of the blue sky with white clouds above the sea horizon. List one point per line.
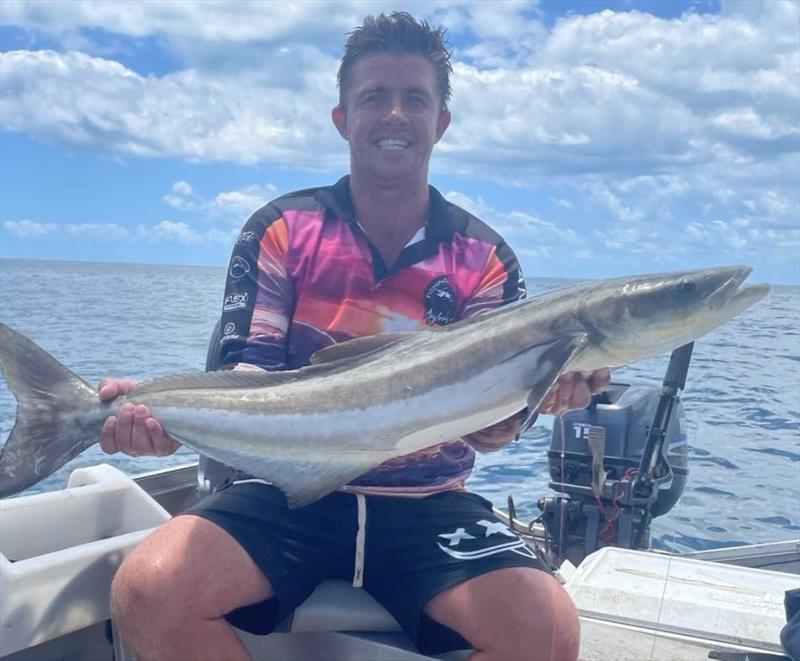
(601, 138)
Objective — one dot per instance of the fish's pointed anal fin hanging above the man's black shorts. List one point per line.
(301, 479)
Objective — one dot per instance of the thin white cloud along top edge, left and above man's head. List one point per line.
(225, 35)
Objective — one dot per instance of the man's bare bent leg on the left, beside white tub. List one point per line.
(171, 594)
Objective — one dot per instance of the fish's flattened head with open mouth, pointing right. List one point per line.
(642, 317)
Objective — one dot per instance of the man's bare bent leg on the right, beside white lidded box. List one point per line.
(513, 613)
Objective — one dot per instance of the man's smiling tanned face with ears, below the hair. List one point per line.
(391, 116)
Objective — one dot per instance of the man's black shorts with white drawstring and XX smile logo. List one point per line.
(414, 549)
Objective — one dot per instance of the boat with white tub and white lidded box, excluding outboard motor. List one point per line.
(59, 551)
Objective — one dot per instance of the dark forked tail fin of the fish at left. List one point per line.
(47, 432)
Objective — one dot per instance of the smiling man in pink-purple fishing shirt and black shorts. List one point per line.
(378, 251)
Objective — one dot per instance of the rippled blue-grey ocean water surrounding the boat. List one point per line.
(742, 398)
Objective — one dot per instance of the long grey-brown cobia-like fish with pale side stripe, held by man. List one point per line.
(312, 430)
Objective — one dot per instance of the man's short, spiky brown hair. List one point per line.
(399, 32)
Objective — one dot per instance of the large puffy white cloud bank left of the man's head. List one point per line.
(91, 102)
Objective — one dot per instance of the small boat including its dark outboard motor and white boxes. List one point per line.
(59, 551)
